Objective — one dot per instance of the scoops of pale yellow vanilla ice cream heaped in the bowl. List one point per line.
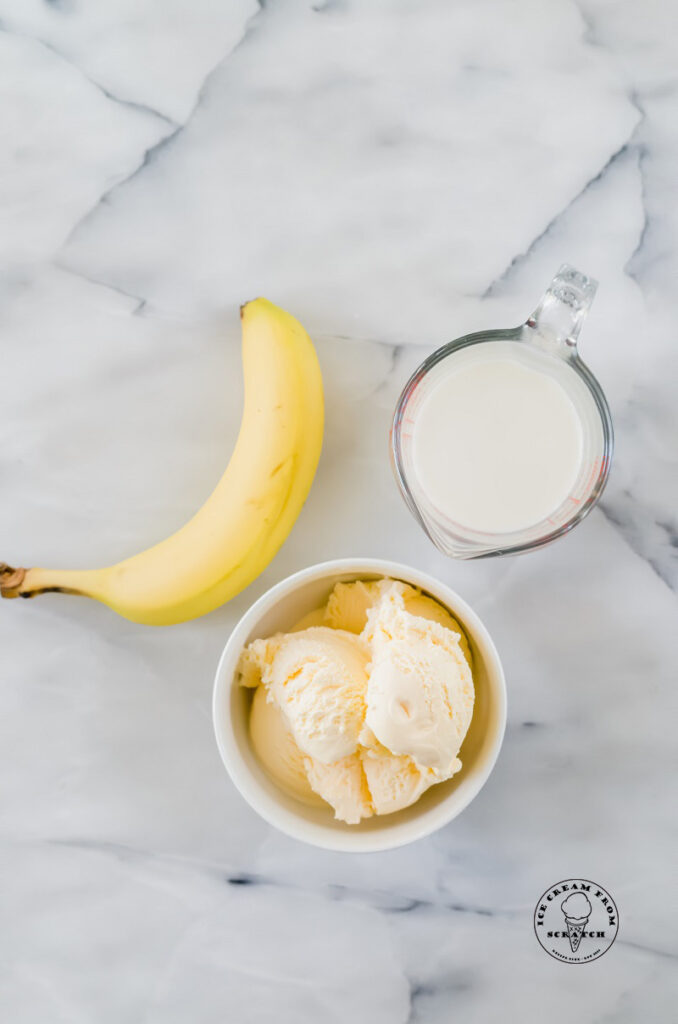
(367, 703)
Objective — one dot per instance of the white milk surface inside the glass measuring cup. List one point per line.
(497, 444)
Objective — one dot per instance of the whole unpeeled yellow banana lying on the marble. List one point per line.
(239, 530)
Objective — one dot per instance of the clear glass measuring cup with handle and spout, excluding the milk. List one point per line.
(546, 343)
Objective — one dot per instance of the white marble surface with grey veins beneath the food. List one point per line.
(397, 175)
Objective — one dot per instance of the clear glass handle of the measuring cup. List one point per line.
(560, 316)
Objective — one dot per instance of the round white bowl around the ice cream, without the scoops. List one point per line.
(278, 611)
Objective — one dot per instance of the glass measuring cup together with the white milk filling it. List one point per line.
(502, 441)
